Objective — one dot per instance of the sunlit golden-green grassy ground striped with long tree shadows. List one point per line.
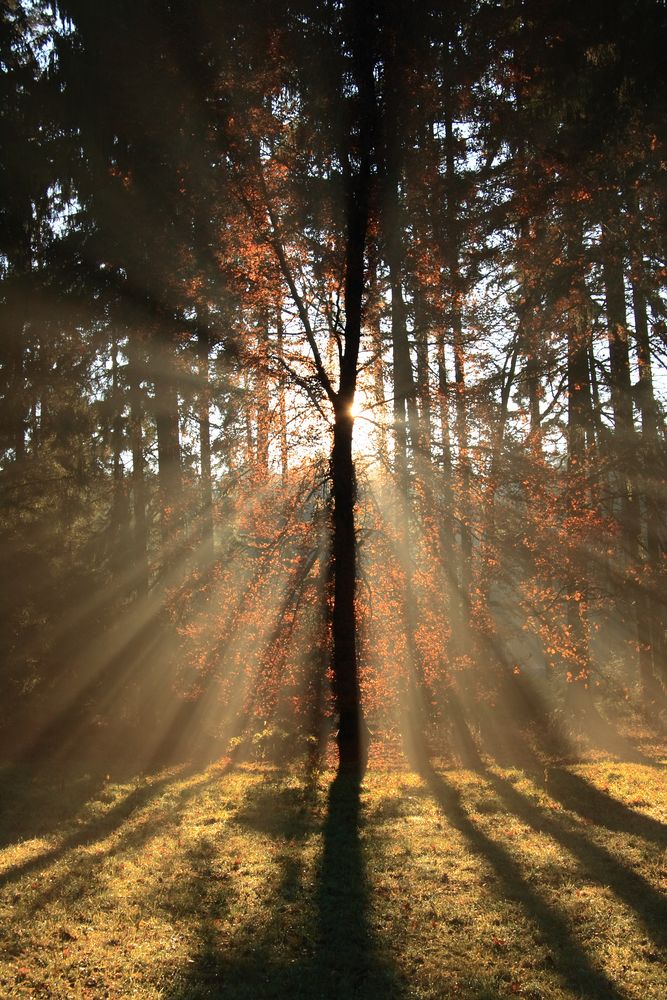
(545, 880)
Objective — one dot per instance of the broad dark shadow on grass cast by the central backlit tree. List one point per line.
(316, 942)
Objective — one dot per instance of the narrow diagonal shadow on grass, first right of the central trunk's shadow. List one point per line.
(570, 960)
